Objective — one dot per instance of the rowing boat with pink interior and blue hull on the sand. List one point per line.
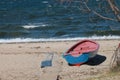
(81, 52)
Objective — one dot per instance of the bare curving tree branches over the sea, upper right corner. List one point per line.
(112, 4)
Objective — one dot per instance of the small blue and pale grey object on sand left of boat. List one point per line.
(47, 62)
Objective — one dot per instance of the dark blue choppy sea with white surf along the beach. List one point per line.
(56, 20)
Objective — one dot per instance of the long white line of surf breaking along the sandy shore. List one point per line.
(17, 40)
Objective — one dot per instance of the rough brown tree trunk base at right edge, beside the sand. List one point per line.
(115, 61)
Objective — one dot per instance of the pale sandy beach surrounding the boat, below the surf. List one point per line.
(22, 61)
